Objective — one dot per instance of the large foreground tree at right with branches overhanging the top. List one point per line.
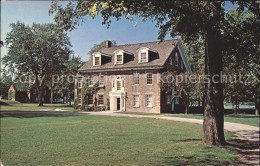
(188, 19)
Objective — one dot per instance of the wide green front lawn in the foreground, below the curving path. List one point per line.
(98, 140)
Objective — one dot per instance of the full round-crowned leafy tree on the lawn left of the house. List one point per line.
(35, 51)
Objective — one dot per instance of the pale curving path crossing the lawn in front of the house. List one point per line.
(247, 136)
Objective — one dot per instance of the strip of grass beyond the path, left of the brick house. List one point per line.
(17, 106)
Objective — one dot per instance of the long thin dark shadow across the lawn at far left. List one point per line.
(27, 114)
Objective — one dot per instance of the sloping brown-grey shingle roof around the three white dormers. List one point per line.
(163, 48)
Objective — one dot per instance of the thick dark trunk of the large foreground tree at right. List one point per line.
(213, 122)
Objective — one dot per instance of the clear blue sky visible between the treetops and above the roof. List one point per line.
(90, 32)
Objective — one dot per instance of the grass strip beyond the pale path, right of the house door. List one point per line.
(252, 120)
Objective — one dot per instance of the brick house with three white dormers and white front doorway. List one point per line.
(129, 75)
